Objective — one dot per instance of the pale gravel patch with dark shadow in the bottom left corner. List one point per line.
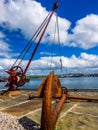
(9, 122)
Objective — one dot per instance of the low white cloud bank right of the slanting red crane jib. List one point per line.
(84, 63)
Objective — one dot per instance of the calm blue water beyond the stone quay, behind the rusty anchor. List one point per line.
(82, 82)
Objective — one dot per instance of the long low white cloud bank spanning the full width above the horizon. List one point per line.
(85, 63)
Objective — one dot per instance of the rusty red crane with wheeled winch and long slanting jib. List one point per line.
(17, 74)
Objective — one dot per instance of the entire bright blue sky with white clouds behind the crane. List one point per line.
(78, 26)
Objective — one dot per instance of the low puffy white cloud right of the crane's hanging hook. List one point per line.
(83, 61)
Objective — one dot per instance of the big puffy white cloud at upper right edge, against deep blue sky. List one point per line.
(85, 33)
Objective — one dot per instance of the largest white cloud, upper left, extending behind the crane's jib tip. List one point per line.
(27, 15)
